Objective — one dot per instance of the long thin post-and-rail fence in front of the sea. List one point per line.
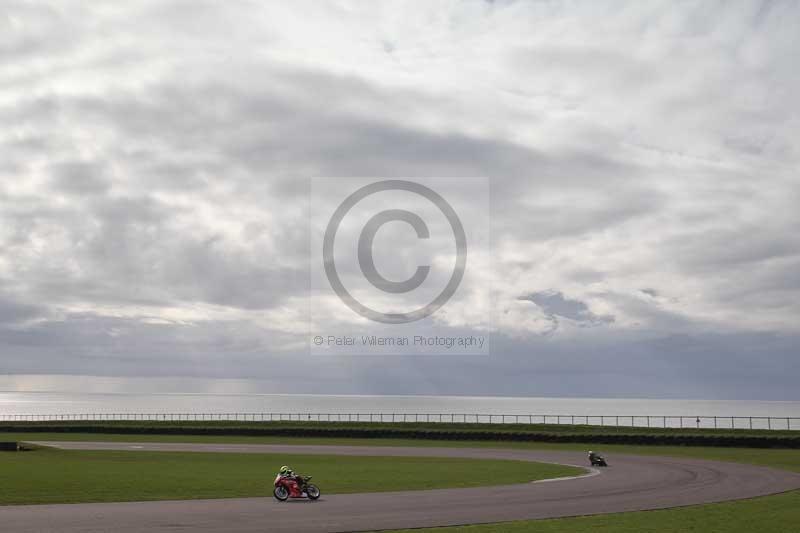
(655, 421)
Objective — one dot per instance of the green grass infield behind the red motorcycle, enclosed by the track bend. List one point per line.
(67, 476)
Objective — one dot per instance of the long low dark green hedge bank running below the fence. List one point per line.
(376, 432)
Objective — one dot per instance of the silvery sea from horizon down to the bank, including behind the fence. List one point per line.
(605, 411)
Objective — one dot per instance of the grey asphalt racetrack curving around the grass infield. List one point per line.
(630, 483)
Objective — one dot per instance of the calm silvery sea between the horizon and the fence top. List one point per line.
(54, 403)
